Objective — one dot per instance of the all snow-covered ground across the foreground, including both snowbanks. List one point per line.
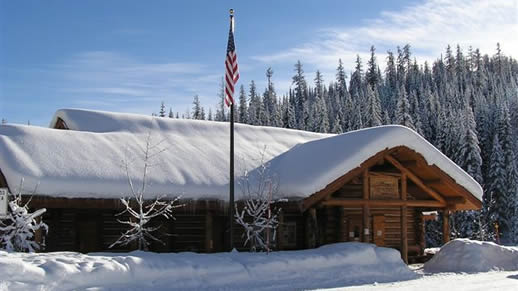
(343, 266)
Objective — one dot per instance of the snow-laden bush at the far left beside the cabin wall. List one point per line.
(18, 228)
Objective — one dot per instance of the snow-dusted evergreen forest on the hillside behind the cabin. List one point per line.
(464, 103)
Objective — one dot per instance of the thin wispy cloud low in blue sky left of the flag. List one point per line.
(114, 81)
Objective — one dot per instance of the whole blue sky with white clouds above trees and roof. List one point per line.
(129, 56)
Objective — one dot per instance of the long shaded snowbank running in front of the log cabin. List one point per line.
(328, 266)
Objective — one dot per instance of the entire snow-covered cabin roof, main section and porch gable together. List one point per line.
(88, 160)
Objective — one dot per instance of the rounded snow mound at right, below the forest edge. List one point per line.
(464, 255)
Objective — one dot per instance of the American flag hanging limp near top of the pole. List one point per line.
(232, 71)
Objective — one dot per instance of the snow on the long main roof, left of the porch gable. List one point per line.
(69, 163)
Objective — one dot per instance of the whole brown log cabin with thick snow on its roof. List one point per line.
(370, 185)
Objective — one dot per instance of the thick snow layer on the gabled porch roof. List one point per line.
(308, 168)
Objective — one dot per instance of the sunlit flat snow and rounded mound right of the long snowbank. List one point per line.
(460, 265)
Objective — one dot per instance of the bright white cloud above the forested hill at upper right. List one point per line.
(428, 27)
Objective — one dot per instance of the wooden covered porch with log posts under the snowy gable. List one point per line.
(382, 202)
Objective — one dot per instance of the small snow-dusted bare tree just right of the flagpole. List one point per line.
(257, 216)
